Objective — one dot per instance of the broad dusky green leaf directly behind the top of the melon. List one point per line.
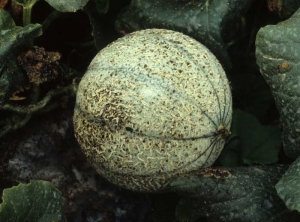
(209, 22)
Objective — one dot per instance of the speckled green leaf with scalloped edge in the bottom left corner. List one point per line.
(37, 201)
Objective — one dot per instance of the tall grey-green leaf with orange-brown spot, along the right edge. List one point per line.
(278, 56)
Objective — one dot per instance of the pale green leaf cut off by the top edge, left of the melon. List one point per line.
(67, 5)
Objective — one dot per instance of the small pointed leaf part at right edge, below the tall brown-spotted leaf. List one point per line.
(288, 186)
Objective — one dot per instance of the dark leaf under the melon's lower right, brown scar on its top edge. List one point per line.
(232, 194)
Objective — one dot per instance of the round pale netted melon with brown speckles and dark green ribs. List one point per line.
(152, 105)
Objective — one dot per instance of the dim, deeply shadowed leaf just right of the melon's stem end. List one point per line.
(250, 142)
